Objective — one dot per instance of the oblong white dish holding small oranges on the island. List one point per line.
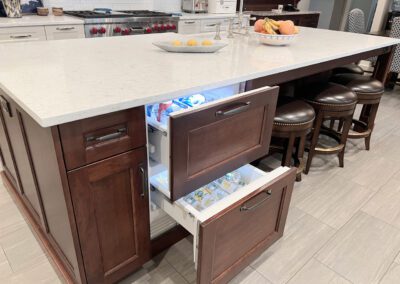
(193, 45)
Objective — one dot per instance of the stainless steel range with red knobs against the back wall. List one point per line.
(119, 23)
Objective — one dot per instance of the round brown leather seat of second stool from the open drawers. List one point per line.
(329, 94)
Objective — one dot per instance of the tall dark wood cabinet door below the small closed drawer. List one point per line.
(111, 207)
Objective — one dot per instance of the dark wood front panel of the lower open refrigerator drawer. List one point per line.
(229, 241)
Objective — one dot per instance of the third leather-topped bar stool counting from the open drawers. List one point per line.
(369, 93)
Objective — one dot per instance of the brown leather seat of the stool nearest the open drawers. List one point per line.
(292, 111)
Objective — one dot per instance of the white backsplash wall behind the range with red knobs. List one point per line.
(90, 4)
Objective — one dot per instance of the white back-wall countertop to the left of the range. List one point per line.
(35, 20)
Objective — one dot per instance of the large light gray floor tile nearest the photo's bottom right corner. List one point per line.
(362, 250)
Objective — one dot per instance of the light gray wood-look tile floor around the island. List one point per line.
(343, 225)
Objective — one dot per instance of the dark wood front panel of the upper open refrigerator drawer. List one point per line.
(210, 141)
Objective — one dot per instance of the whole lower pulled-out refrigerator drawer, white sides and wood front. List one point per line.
(232, 232)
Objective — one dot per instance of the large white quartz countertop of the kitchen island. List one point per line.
(65, 80)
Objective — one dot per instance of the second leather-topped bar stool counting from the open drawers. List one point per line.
(330, 102)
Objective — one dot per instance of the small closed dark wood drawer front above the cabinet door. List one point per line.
(90, 140)
